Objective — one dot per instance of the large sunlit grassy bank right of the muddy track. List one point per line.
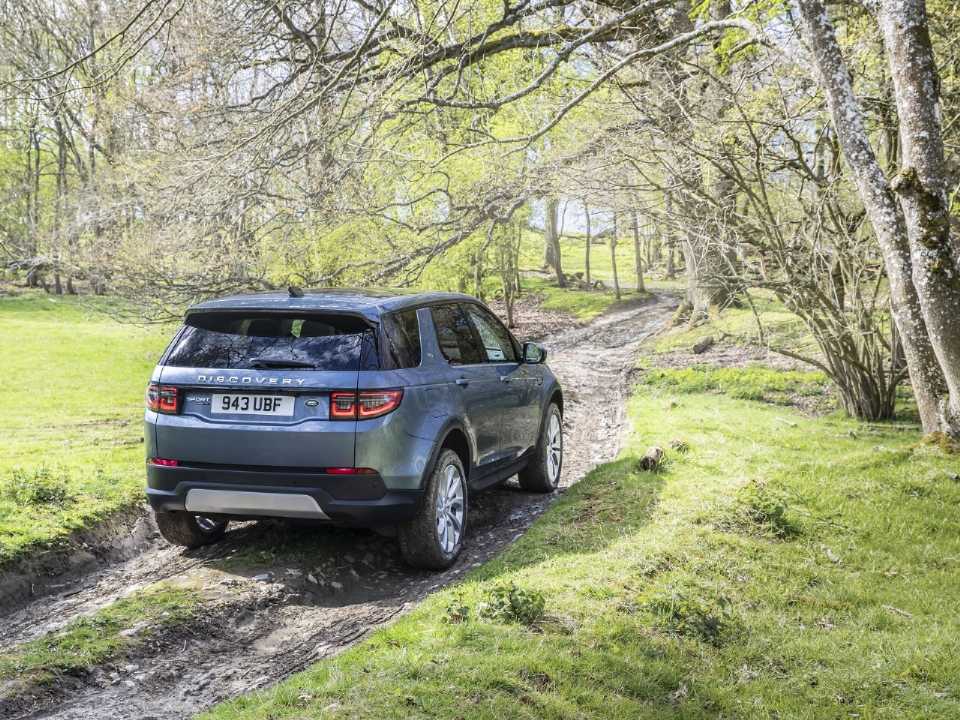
(782, 567)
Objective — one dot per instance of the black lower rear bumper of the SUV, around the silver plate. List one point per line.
(359, 500)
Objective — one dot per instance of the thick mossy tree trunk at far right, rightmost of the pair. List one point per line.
(921, 186)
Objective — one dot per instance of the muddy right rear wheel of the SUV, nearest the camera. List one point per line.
(431, 540)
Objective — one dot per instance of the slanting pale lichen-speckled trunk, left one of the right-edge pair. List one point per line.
(881, 206)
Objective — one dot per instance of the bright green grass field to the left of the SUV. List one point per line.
(71, 404)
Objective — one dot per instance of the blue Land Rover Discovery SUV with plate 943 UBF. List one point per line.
(353, 407)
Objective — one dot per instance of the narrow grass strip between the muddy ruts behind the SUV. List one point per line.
(98, 638)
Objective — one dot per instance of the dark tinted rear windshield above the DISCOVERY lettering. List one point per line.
(274, 341)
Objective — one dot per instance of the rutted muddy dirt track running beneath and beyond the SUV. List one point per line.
(281, 597)
